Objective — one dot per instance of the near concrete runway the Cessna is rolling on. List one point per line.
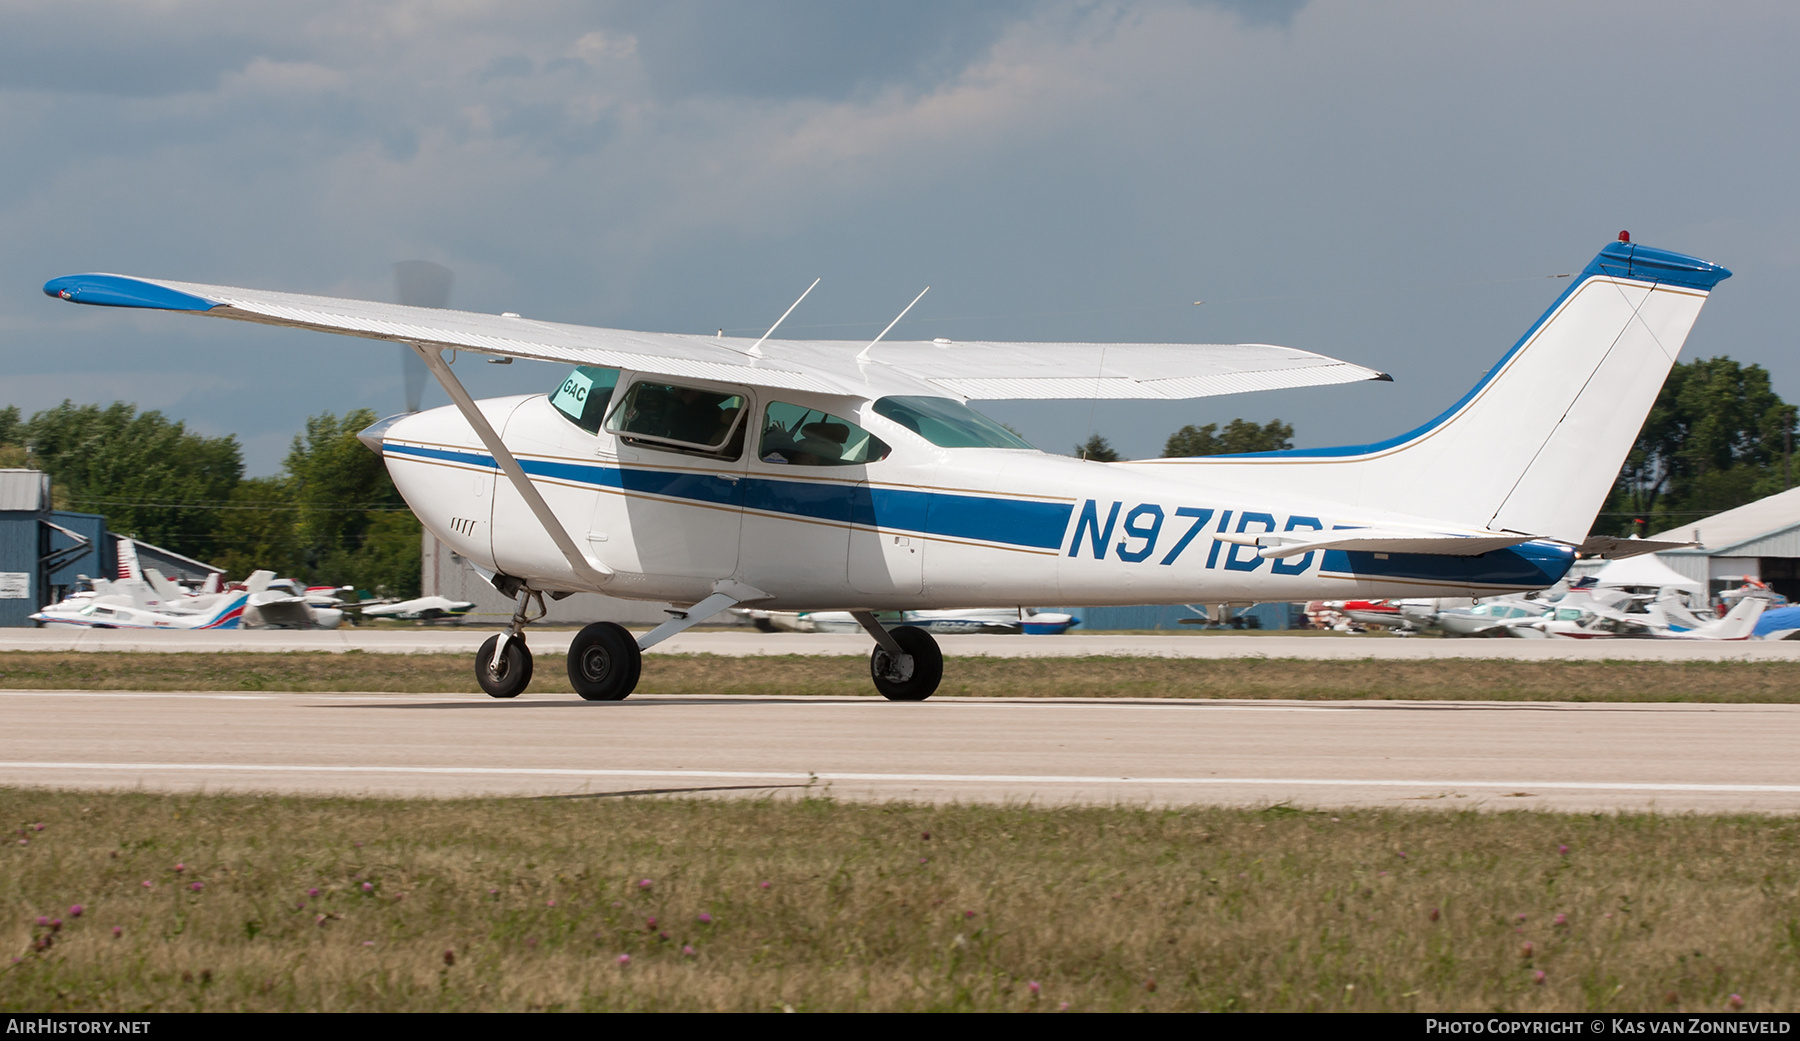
(1048, 752)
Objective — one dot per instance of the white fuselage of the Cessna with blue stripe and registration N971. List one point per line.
(922, 529)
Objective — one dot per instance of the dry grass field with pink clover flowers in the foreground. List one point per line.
(211, 903)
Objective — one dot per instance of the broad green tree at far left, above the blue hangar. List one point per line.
(148, 476)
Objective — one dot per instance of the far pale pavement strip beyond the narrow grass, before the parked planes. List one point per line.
(1324, 647)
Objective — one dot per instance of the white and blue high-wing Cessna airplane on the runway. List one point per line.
(843, 476)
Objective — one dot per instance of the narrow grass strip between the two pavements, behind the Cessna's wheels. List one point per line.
(1455, 680)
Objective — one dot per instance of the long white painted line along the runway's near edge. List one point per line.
(903, 777)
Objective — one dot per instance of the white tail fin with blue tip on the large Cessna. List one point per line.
(1538, 444)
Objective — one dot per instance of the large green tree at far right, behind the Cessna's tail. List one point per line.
(1716, 439)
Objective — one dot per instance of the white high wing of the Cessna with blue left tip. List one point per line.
(964, 370)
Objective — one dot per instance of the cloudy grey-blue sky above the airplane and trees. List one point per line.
(1383, 183)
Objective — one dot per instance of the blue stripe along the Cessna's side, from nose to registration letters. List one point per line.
(1007, 521)
